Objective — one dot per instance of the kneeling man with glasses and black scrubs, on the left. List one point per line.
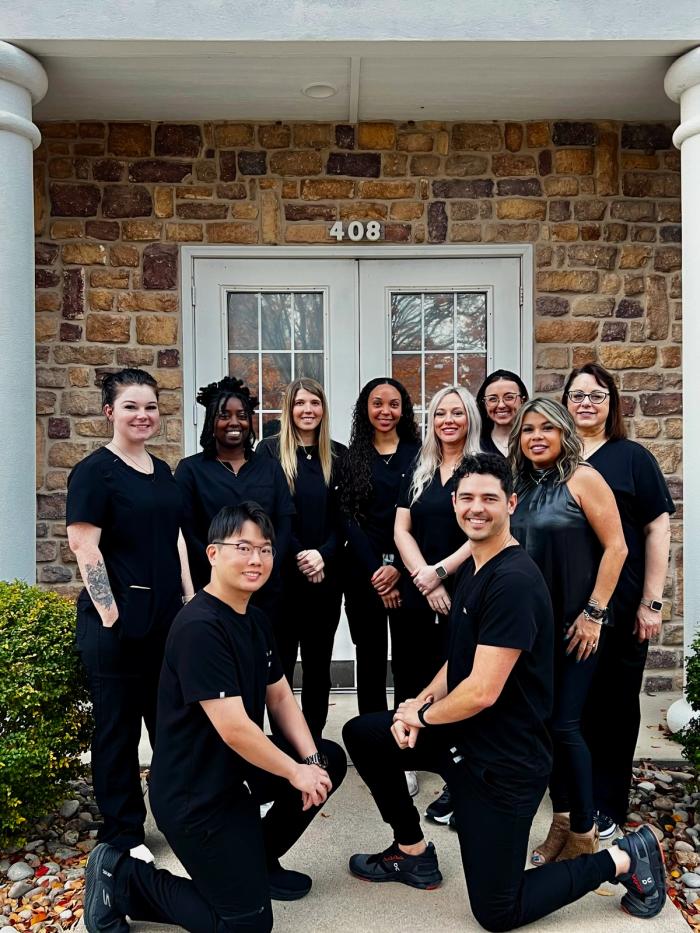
(213, 765)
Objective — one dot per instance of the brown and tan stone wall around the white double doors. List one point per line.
(114, 201)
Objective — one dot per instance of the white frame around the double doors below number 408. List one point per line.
(188, 254)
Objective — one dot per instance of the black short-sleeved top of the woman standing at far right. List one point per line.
(642, 495)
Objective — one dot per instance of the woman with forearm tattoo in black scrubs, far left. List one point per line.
(123, 514)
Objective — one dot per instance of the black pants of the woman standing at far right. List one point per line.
(614, 697)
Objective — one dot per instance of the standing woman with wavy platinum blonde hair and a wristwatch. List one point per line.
(431, 544)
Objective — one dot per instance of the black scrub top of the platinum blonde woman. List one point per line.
(434, 527)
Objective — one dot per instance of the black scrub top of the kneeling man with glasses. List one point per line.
(212, 652)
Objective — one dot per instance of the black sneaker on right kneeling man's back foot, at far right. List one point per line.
(646, 879)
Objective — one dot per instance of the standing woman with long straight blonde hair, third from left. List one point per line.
(310, 575)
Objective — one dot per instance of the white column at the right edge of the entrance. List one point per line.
(683, 84)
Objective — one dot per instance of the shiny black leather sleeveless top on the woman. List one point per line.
(551, 526)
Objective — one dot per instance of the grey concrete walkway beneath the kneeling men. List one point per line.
(339, 903)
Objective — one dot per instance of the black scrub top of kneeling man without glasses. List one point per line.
(507, 605)
